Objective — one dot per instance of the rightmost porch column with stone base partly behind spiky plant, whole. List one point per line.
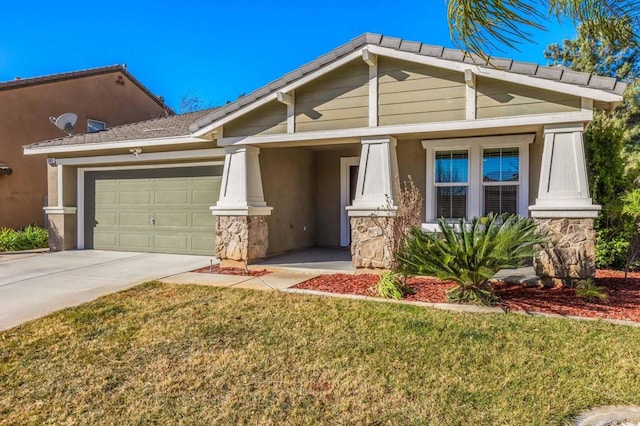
(564, 209)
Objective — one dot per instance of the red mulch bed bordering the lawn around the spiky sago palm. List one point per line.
(624, 295)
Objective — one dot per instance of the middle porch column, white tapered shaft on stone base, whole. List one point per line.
(373, 209)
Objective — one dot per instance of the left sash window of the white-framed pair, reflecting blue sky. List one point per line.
(451, 181)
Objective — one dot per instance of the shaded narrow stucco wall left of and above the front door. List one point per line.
(328, 193)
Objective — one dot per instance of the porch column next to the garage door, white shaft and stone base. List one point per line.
(241, 212)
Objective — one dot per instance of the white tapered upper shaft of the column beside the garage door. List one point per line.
(241, 190)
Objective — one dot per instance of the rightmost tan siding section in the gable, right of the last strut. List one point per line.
(502, 99)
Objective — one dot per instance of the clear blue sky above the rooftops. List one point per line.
(212, 49)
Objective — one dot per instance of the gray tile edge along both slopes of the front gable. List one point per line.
(559, 74)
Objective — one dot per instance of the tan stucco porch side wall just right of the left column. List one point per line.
(288, 179)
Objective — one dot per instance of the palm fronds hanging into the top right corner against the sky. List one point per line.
(477, 26)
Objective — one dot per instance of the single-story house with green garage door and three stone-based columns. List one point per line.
(309, 158)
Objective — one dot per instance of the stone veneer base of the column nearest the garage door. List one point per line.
(241, 238)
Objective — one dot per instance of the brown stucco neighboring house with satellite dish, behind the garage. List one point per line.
(101, 98)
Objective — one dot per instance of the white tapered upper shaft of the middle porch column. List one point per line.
(377, 175)
